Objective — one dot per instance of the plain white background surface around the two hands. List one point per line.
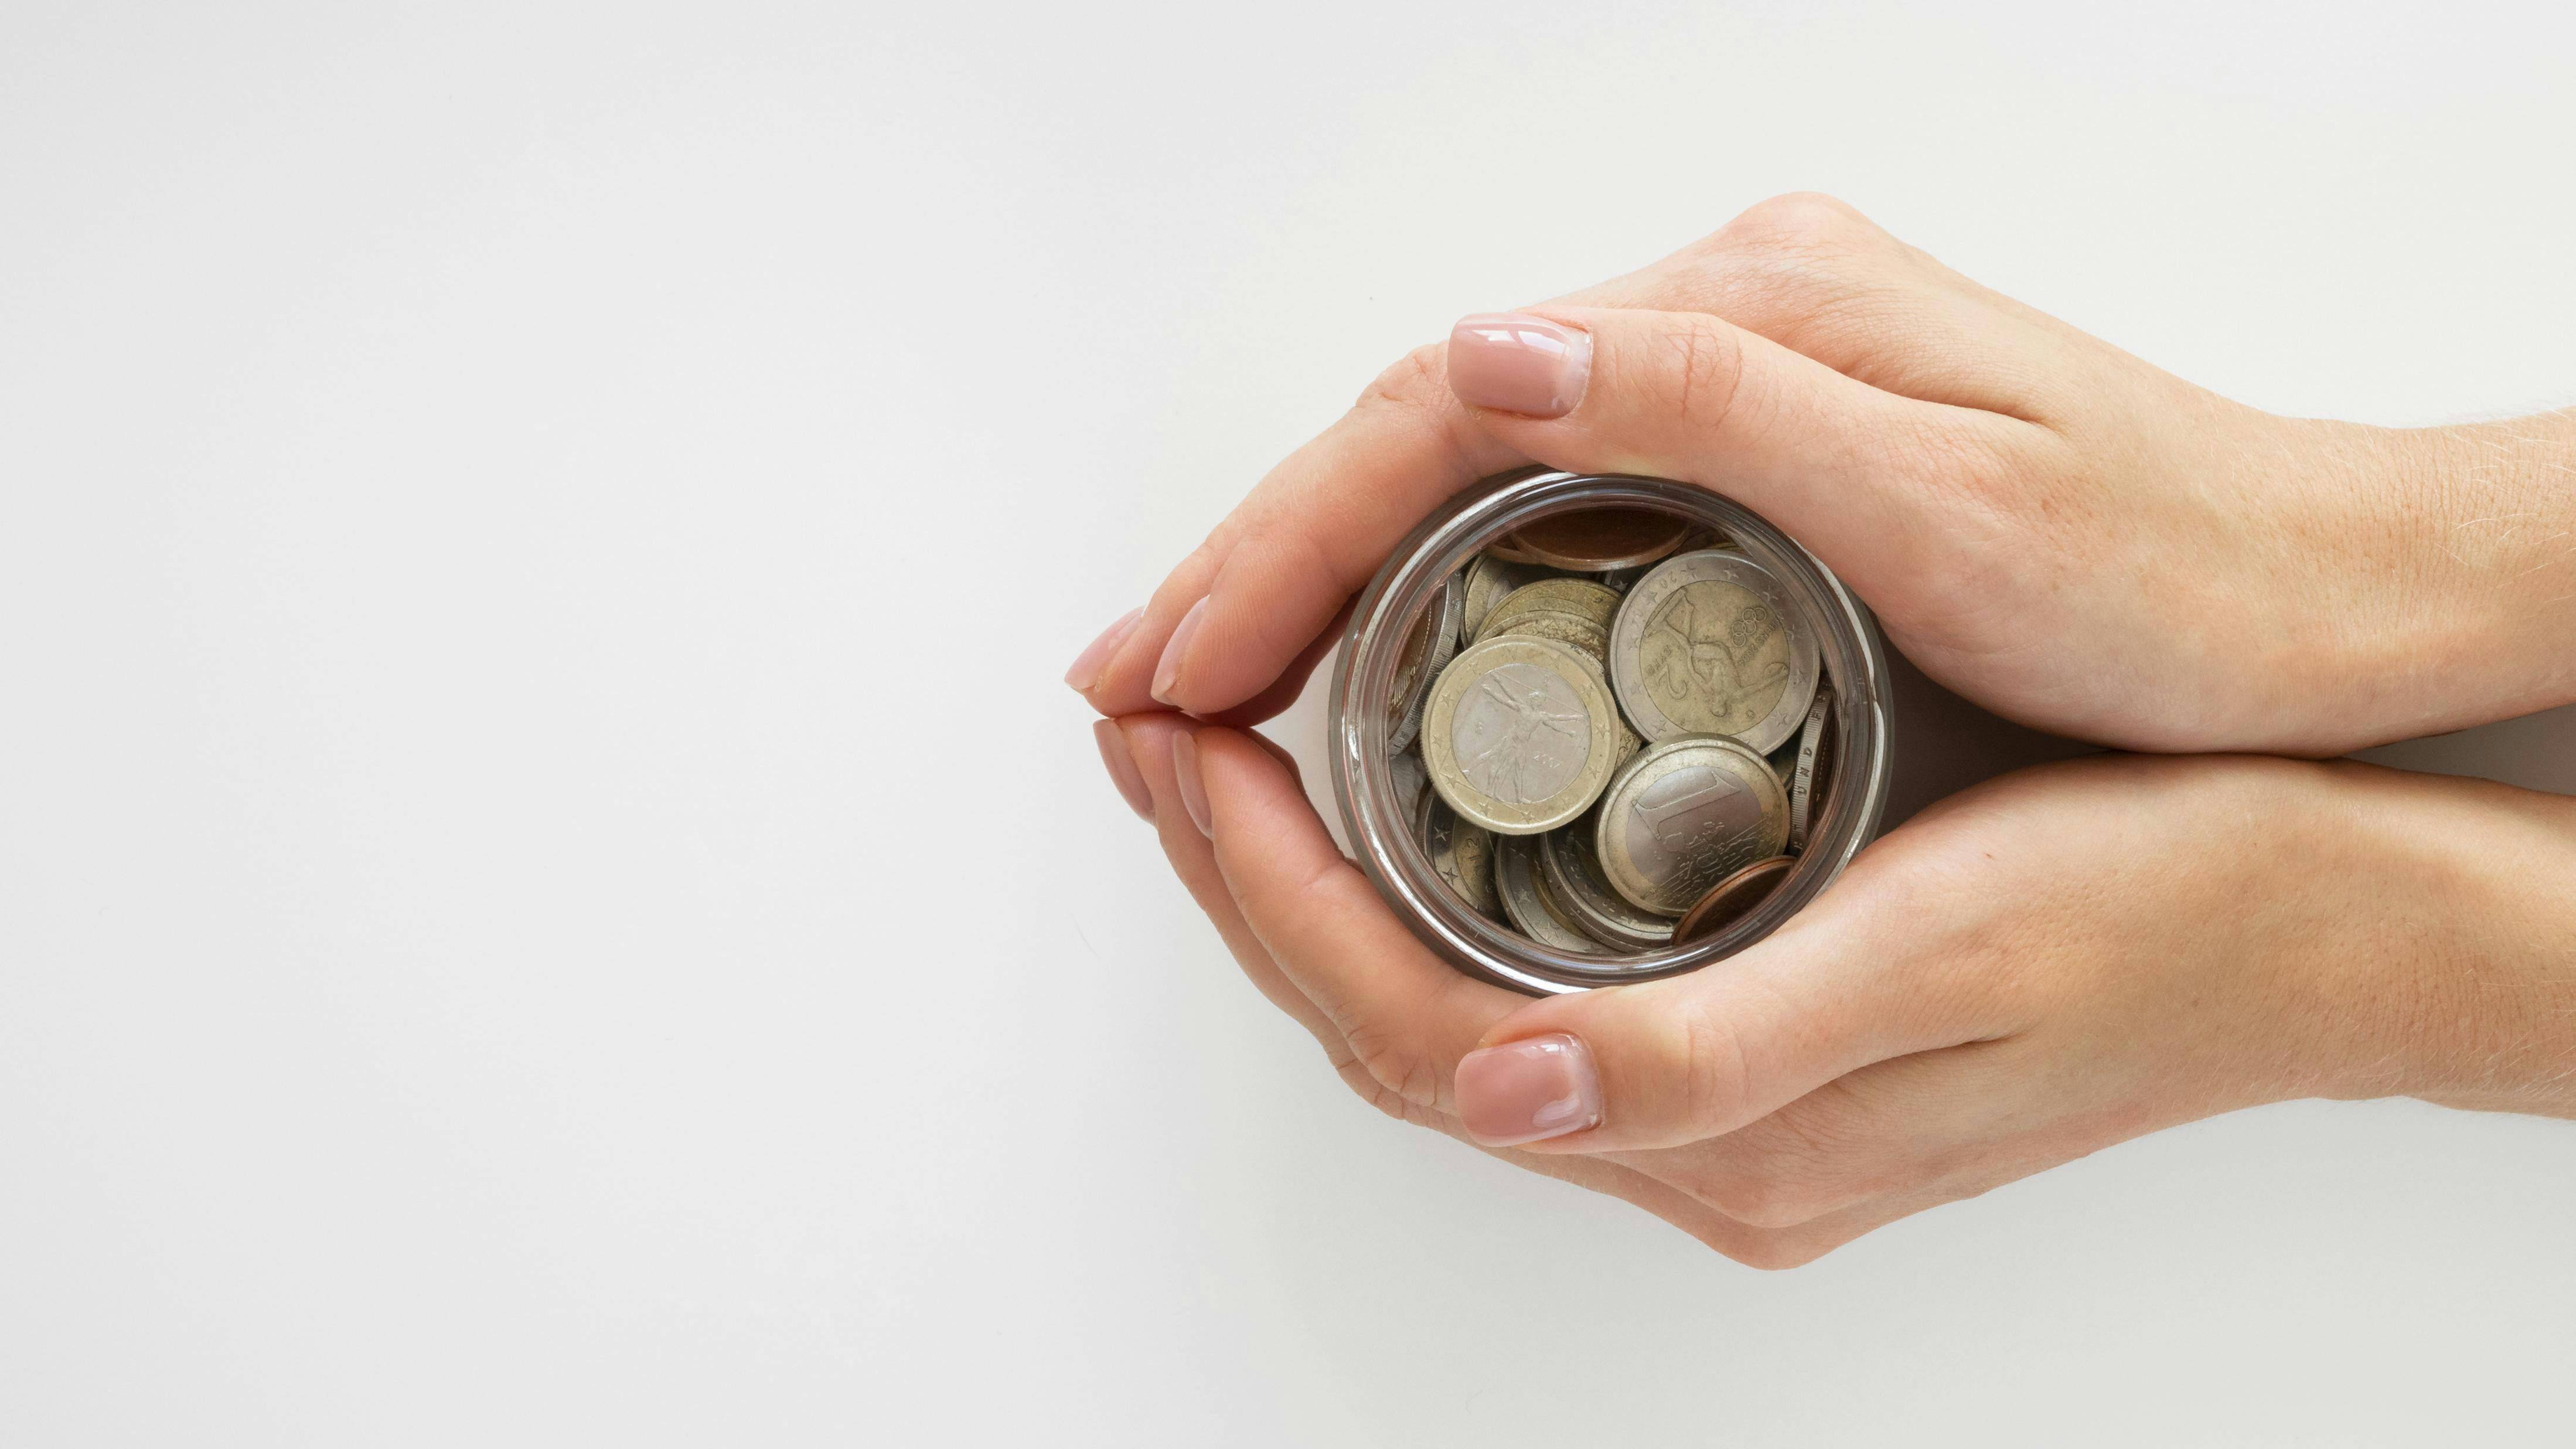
(550, 888)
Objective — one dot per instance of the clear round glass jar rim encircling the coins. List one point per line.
(1382, 831)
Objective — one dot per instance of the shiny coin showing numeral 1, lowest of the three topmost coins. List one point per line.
(1686, 813)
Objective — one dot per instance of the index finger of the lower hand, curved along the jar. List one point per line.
(1405, 1015)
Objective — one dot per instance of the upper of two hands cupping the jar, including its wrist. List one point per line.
(2041, 522)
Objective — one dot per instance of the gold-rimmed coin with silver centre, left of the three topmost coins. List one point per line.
(1521, 736)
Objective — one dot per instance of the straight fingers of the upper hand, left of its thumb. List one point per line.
(1266, 584)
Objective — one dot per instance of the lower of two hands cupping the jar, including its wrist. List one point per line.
(2016, 978)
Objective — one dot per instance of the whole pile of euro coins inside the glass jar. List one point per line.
(1611, 731)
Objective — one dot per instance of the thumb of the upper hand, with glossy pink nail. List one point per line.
(1848, 471)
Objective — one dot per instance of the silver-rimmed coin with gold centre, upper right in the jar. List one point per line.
(1712, 643)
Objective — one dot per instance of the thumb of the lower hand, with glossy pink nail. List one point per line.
(1864, 976)
